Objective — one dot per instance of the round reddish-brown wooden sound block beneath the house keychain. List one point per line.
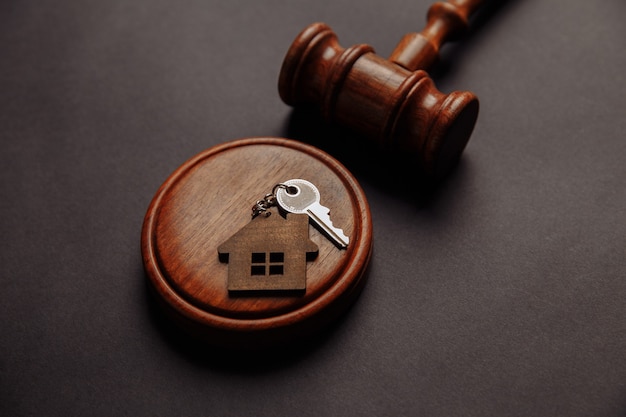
(208, 199)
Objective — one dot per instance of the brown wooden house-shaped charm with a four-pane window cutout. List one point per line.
(269, 254)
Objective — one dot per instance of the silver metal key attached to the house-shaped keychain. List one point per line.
(301, 197)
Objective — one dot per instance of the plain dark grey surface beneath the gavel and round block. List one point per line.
(501, 293)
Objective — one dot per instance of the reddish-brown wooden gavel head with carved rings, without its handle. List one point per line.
(398, 108)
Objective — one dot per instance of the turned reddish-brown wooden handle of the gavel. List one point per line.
(445, 21)
